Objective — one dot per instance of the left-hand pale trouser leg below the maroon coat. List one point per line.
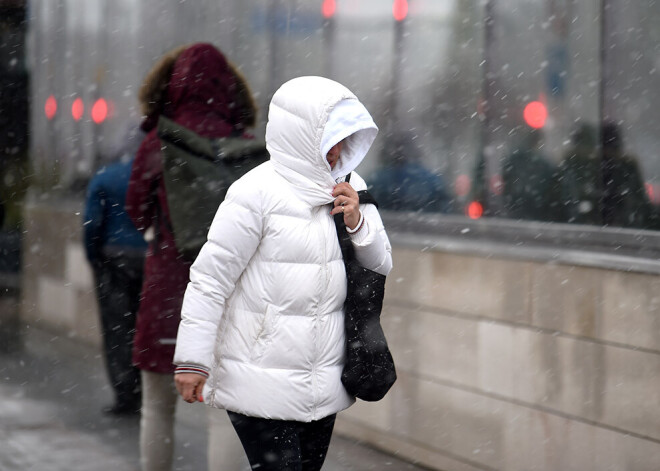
(159, 398)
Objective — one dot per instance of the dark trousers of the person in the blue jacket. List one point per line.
(118, 284)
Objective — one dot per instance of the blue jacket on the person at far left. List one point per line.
(106, 225)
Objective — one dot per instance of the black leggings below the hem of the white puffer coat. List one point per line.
(284, 445)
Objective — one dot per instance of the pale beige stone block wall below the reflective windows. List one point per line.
(503, 364)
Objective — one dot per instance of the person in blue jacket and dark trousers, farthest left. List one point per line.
(115, 250)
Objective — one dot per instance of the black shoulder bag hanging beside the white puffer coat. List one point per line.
(369, 370)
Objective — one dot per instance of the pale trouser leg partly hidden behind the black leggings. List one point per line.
(224, 452)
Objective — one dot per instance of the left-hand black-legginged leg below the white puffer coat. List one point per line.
(270, 445)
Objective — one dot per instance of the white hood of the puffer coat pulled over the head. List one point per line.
(306, 118)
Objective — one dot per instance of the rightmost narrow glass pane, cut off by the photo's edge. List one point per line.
(631, 114)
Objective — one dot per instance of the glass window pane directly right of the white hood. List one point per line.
(430, 122)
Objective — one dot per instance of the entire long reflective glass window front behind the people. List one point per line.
(532, 110)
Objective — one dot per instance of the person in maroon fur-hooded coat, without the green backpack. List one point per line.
(196, 87)
